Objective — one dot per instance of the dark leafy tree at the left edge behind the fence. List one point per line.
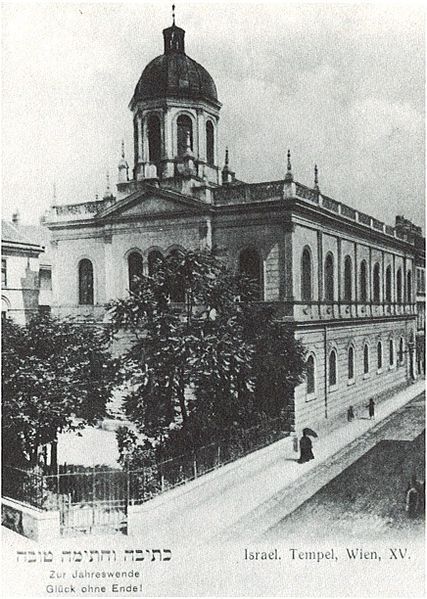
(57, 376)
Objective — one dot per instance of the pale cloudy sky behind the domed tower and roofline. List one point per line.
(340, 84)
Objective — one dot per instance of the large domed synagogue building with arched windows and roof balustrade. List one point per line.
(342, 279)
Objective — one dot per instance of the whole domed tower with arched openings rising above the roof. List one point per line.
(174, 96)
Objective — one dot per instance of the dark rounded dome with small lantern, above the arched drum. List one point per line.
(174, 74)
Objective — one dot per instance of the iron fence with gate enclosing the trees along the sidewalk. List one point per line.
(92, 498)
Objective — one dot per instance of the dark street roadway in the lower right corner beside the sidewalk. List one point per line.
(367, 499)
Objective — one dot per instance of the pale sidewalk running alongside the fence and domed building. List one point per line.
(226, 504)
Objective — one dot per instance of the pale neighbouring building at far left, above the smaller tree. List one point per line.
(26, 270)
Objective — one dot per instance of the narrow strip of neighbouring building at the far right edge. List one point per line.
(414, 233)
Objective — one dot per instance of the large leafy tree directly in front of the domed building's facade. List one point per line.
(214, 361)
